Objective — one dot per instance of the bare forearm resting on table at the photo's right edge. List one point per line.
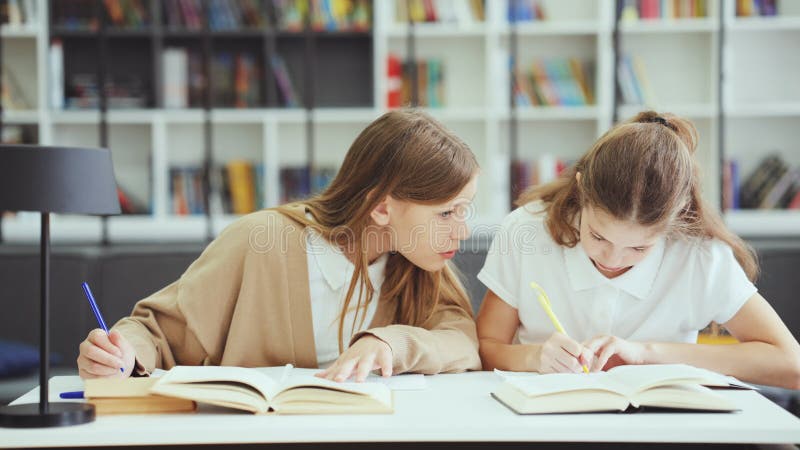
(754, 362)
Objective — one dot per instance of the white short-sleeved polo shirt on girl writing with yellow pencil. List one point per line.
(676, 290)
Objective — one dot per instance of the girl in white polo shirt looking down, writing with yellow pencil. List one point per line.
(634, 262)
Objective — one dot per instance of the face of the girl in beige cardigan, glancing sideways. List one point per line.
(429, 235)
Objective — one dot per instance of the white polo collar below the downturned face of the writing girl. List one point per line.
(637, 281)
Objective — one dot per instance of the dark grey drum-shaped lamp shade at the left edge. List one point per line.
(57, 179)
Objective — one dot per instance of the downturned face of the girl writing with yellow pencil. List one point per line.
(614, 246)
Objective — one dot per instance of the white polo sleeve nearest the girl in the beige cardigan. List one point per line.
(501, 270)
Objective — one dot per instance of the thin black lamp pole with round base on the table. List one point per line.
(45, 414)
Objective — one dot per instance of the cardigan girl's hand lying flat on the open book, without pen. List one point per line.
(365, 355)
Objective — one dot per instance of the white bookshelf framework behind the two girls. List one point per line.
(760, 99)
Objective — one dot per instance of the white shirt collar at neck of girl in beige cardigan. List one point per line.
(334, 265)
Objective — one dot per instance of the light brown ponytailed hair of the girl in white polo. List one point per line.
(643, 171)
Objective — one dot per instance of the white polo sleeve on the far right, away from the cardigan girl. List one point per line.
(727, 287)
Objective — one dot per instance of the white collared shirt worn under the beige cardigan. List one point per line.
(329, 274)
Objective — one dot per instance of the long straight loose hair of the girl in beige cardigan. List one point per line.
(409, 156)
